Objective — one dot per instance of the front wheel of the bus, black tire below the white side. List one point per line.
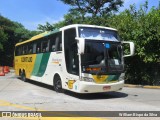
(57, 83)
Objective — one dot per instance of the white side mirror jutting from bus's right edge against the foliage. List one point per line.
(132, 48)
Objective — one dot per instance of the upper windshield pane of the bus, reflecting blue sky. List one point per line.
(98, 34)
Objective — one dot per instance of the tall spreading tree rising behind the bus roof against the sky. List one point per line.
(85, 12)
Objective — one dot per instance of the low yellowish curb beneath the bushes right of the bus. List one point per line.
(141, 86)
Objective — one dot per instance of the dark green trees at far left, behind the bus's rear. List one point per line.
(11, 33)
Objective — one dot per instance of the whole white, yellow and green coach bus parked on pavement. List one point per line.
(80, 58)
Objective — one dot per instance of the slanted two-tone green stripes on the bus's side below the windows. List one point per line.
(41, 64)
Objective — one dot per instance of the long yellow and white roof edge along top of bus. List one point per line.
(63, 28)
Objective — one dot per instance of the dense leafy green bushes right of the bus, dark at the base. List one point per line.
(143, 28)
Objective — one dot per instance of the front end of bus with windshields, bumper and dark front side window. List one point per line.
(100, 67)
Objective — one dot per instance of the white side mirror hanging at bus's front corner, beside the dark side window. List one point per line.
(80, 45)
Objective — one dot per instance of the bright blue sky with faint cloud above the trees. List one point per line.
(30, 13)
